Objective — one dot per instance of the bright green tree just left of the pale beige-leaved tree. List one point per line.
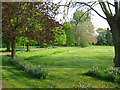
(70, 39)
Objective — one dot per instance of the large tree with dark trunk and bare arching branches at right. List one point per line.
(111, 16)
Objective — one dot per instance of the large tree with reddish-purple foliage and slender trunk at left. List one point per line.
(32, 19)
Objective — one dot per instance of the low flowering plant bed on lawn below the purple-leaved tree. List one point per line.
(36, 71)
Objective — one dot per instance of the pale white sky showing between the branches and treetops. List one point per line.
(97, 21)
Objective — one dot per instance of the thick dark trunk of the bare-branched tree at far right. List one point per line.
(115, 29)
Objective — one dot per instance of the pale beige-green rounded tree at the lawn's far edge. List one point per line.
(85, 34)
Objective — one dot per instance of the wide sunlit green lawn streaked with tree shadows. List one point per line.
(65, 65)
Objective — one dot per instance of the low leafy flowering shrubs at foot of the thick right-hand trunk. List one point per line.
(111, 73)
